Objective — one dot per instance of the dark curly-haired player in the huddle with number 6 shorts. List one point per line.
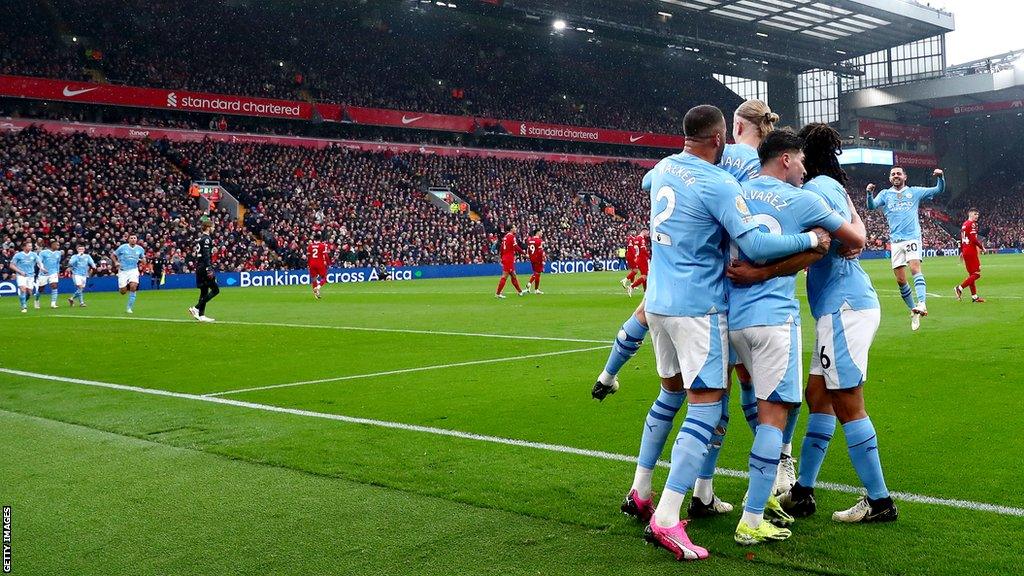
(846, 310)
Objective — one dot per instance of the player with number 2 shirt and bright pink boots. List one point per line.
(694, 205)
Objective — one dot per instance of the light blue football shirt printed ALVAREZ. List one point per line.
(779, 209)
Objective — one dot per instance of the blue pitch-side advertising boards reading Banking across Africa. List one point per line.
(262, 279)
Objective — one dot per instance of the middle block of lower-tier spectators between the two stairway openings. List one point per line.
(370, 207)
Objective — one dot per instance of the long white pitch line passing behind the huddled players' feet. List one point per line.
(906, 497)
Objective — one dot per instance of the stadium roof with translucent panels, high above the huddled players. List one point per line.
(792, 35)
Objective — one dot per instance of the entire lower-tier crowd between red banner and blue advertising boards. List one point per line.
(372, 207)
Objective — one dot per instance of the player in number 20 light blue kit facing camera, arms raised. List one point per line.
(900, 204)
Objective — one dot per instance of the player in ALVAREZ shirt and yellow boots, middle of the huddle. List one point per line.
(764, 323)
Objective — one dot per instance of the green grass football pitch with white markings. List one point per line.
(425, 428)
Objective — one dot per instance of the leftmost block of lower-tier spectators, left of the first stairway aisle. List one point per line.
(97, 192)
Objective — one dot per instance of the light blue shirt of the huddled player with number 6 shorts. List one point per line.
(834, 281)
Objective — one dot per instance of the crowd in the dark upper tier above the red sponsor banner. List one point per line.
(379, 55)
